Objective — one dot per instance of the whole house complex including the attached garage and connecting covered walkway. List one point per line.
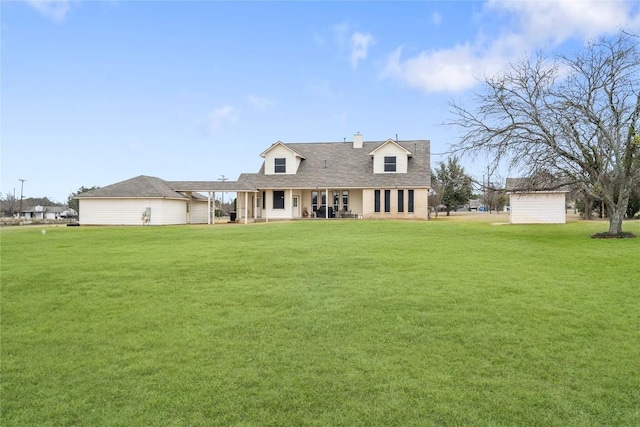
(358, 179)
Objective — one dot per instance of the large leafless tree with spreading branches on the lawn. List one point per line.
(575, 117)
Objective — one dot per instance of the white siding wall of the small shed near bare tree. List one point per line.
(537, 208)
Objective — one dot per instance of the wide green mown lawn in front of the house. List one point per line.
(445, 322)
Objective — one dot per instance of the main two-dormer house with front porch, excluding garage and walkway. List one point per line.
(376, 179)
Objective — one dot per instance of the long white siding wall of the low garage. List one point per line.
(129, 211)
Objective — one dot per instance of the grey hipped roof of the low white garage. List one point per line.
(139, 187)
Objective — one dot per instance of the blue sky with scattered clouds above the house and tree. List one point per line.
(96, 92)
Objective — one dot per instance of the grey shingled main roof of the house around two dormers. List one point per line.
(340, 165)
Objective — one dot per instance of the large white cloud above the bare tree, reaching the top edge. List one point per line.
(532, 25)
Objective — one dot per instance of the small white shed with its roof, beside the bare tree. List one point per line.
(536, 203)
